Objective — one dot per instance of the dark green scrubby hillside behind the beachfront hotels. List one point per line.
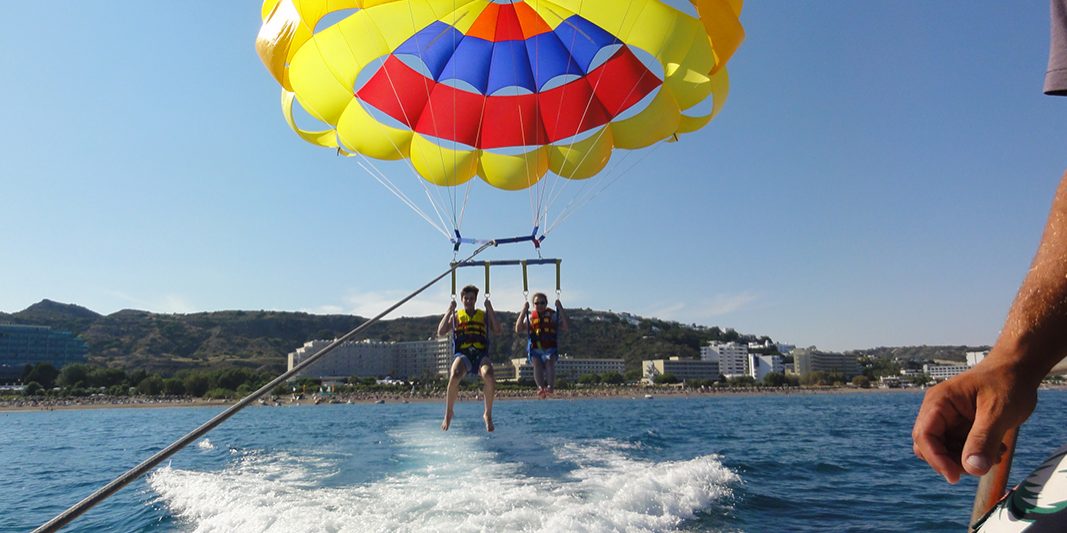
(262, 340)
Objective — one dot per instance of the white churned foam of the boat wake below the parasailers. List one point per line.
(454, 487)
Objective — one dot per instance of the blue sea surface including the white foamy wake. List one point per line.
(757, 464)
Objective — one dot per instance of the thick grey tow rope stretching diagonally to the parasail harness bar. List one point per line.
(132, 475)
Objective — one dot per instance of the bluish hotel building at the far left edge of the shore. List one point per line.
(22, 346)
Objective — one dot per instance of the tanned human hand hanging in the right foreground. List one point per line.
(962, 423)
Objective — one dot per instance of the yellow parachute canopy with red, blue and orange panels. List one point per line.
(506, 90)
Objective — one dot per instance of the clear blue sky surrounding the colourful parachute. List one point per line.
(880, 176)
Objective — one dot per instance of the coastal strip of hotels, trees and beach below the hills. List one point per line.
(49, 368)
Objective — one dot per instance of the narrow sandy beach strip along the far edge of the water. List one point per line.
(373, 398)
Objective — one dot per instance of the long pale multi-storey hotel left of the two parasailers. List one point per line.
(370, 359)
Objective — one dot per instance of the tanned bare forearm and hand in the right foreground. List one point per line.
(962, 423)
